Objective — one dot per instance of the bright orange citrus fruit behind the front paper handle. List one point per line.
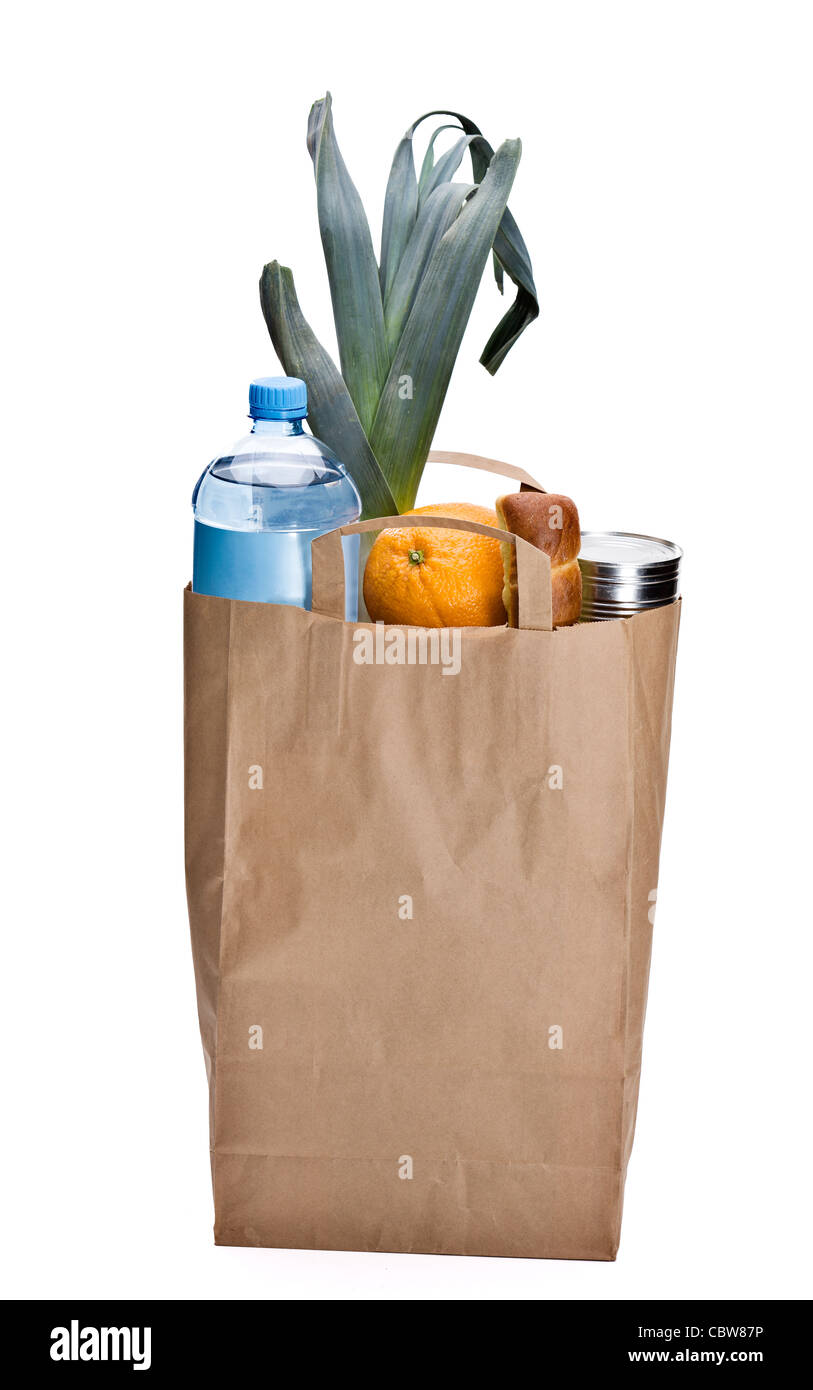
(429, 578)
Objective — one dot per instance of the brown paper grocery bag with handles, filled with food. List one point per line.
(420, 894)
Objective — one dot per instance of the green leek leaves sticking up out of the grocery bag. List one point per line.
(400, 322)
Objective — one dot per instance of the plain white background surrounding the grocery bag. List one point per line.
(155, 159)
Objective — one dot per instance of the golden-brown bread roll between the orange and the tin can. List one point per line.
(550, 522)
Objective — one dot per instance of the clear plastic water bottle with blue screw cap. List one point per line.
(259, 508)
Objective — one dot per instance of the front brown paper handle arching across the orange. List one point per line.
(533, 566)
